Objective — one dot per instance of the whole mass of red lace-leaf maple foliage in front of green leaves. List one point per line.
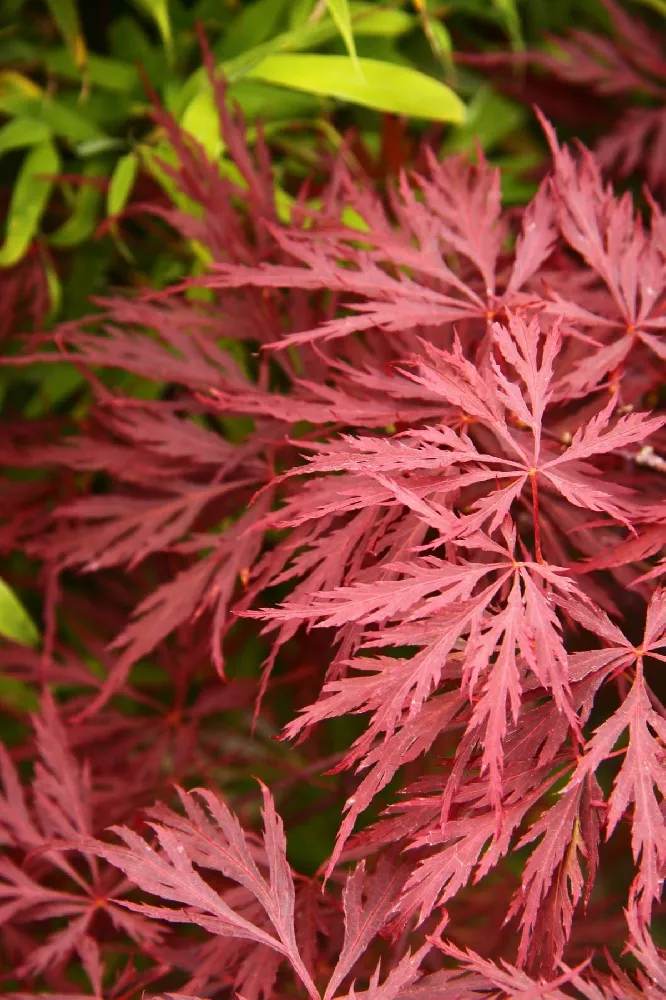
(437, 438)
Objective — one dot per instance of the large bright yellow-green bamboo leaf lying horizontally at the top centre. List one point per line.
(384, 86)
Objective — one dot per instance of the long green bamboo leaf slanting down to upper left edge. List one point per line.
(29, 198)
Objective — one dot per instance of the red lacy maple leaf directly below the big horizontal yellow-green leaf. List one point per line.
(460, 213)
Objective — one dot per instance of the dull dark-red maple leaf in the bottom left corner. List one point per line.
(50, 840)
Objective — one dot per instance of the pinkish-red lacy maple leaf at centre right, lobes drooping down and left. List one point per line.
(452, 603)
